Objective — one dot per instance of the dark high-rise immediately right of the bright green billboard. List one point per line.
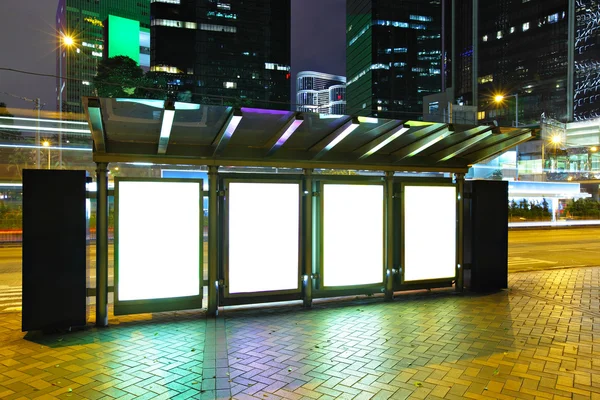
(224, 52)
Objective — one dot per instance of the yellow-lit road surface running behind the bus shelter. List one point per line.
(528, 250)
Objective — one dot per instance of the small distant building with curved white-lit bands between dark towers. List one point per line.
(321, 93)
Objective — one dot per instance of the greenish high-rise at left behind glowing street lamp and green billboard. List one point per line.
(84, 22)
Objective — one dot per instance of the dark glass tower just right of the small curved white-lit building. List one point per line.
(393, 57)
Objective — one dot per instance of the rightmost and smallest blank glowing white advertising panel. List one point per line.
(429, 232)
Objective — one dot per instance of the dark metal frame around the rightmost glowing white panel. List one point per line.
(402, 242)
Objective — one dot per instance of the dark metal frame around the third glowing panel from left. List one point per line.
(319, 285)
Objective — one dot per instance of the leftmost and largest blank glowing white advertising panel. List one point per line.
(158, 239)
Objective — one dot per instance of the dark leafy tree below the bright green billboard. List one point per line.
(118, 76)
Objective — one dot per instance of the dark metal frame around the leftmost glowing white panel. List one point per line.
(123, 307)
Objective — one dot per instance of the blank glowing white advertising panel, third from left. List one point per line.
(352, 234)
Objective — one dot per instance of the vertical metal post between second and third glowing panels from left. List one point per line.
(307, 239)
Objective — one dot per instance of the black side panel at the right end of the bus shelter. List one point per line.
(487, 246)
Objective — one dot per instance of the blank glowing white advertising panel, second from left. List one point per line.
(264, 223)
